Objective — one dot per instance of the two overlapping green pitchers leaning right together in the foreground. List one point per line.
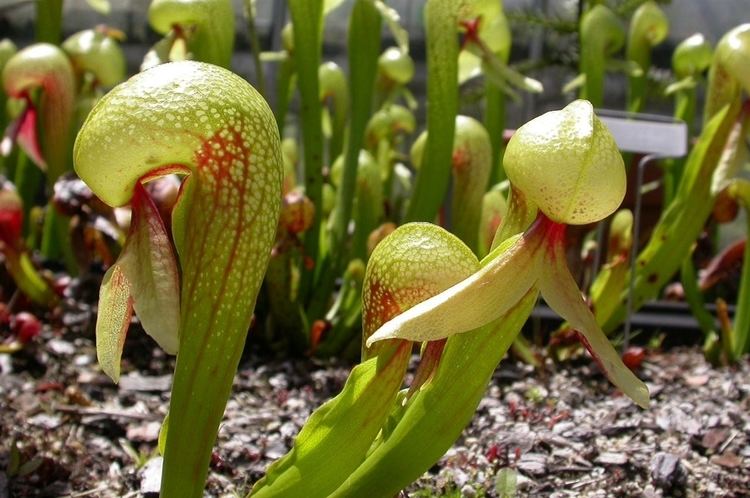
(370, 440)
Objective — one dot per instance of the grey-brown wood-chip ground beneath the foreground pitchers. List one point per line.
(67, 430)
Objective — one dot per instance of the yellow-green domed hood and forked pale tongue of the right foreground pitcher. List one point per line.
(567, 164)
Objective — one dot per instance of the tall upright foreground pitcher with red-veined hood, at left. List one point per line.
(207, 123)
